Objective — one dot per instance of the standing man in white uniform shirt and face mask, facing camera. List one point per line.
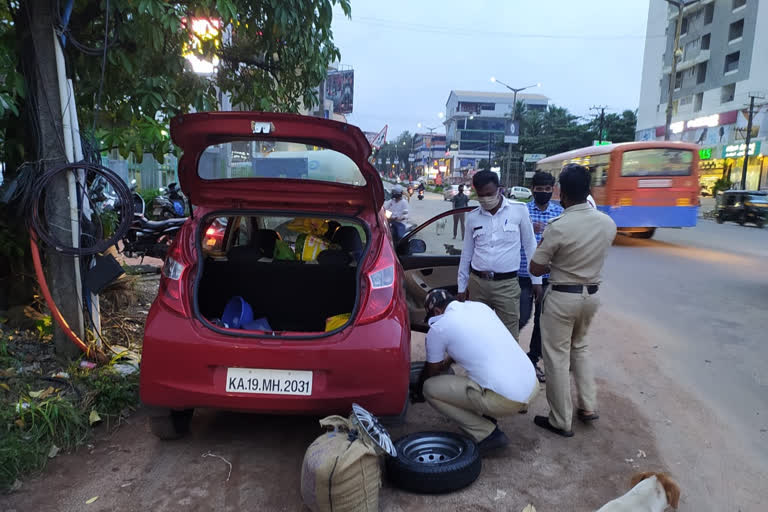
(490, 257)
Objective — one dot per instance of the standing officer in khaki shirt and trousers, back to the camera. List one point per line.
(572, 250)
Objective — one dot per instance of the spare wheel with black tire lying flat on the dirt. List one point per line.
(434, 462)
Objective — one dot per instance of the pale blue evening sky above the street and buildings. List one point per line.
(409, 54)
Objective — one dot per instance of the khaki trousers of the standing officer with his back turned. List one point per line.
(565, 319)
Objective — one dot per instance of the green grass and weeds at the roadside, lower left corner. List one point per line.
(41, 416)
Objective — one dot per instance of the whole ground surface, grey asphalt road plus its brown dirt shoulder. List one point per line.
(682, 366)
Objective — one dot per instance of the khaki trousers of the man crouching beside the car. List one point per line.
(463, 400)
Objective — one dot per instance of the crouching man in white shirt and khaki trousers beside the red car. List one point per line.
(500, 381)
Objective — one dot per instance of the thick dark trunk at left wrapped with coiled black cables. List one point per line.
(35, 33)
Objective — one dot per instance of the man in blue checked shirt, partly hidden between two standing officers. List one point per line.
(541, 210)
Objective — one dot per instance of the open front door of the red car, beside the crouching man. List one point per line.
(430, 257)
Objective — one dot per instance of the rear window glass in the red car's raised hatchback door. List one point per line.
(277, 159)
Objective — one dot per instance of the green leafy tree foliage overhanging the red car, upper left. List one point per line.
(127, 61)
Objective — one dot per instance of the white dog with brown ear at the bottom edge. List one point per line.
(651, 492)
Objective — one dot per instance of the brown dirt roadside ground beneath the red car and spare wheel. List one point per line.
(647, 423)
